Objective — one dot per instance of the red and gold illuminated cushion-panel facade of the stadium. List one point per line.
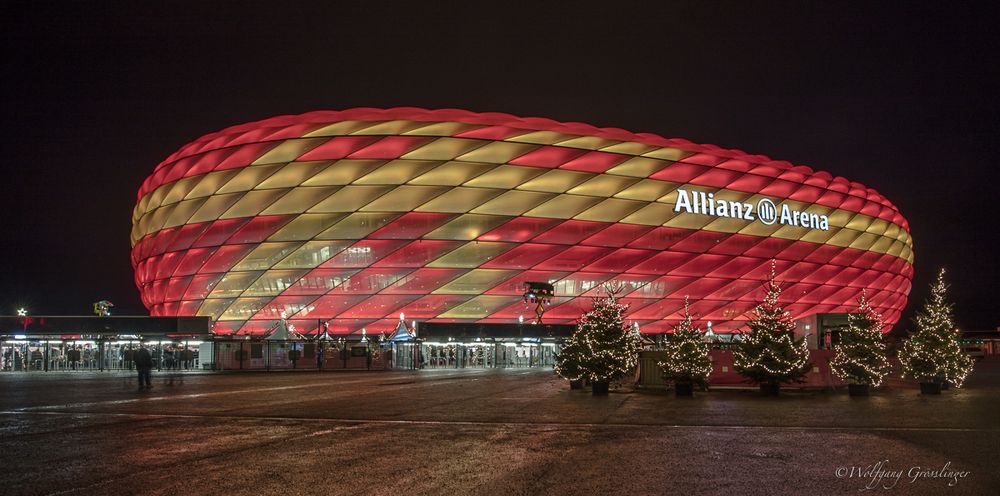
(351, 218)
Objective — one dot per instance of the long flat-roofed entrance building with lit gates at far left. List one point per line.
(54, 343)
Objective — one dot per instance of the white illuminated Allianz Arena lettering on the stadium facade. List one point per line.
(699, 202)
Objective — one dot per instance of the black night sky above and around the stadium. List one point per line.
(900, 96)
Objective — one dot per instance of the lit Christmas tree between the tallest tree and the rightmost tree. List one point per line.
(860, 355)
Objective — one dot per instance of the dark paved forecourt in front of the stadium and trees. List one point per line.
(493, 432)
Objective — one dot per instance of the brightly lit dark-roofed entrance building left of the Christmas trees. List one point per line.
(460, 345)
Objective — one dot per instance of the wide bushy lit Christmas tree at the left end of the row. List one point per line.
(603, 348)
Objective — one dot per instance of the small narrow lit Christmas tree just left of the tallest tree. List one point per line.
(686, 362)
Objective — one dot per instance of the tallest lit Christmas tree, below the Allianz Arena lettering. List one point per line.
(769, 354)
